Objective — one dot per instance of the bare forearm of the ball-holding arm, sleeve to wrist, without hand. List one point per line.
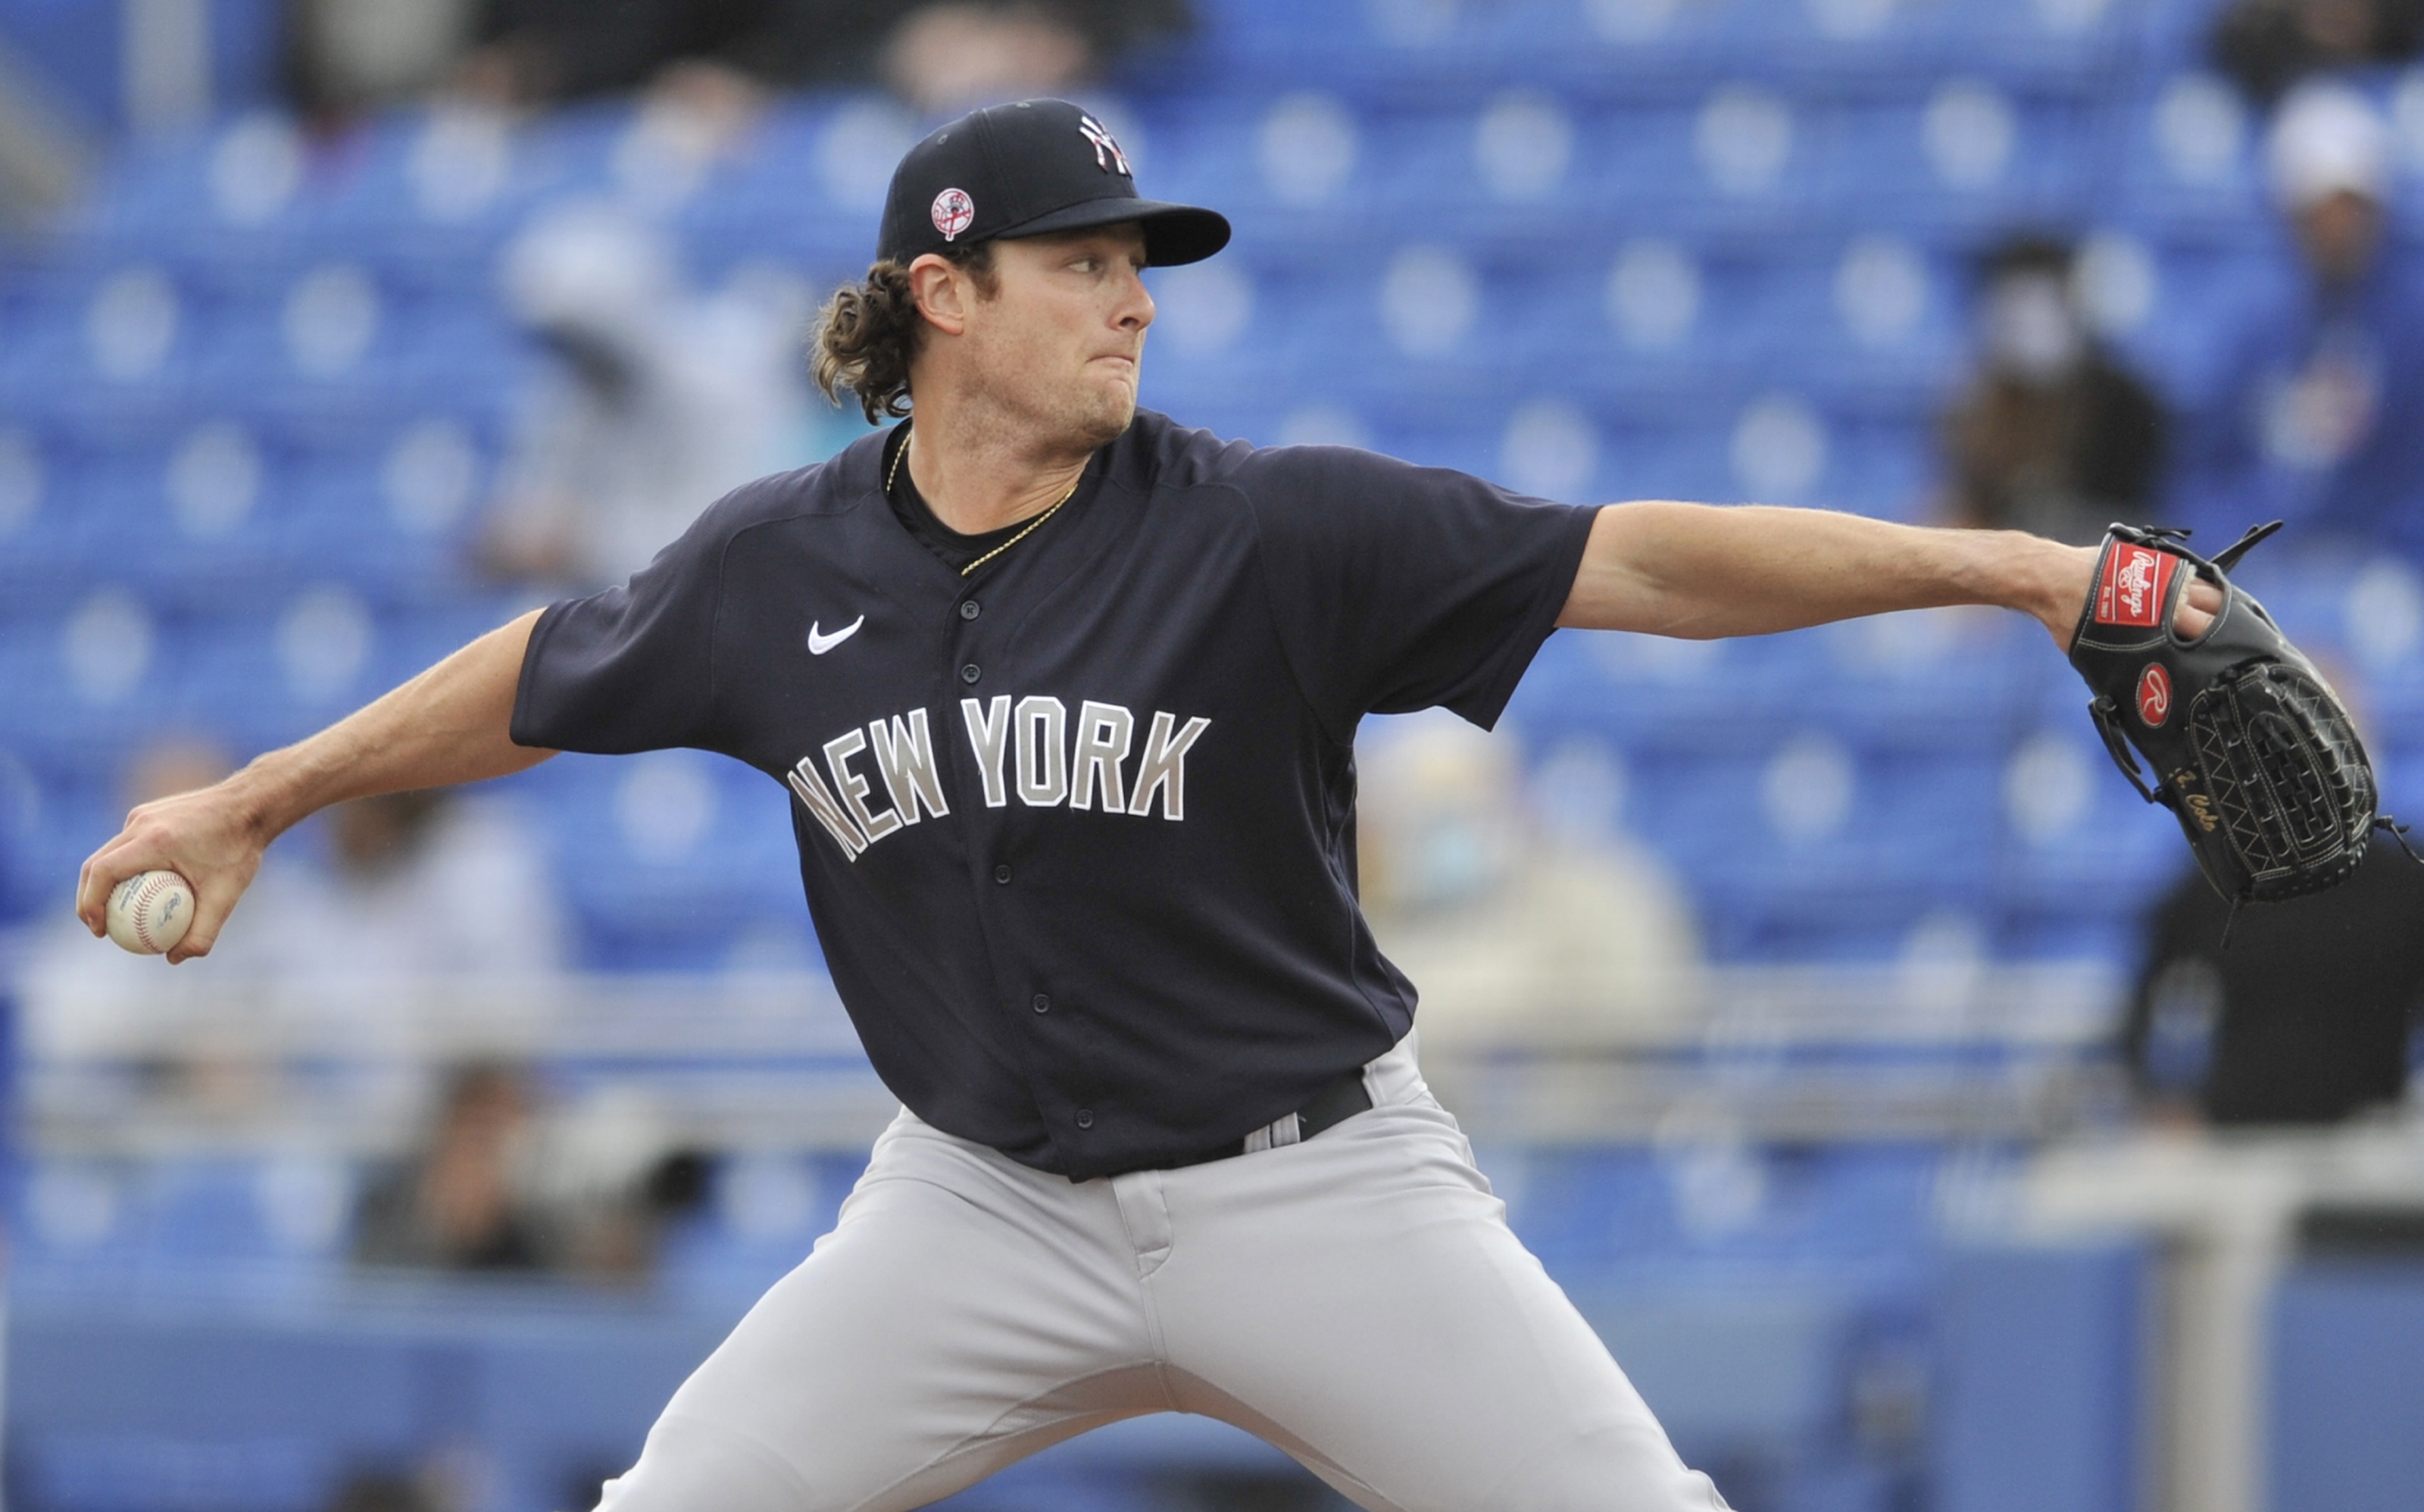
(447, 726)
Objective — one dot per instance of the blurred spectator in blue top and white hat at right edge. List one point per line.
(2316, 416)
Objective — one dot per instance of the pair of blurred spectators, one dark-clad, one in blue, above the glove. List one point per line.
(2309, 420)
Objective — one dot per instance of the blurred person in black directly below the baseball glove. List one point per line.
(2304, 1021)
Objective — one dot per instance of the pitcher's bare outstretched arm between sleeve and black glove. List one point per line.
(1703, 573)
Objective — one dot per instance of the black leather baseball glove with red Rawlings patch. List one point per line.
(2248, 745)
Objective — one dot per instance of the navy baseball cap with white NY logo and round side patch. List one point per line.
(1031, 168)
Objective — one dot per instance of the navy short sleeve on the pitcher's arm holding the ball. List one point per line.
(631, 668)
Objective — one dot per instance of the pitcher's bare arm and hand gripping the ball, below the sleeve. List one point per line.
(447, 726)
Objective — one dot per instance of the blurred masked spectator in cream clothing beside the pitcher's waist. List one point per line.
(1519, 937)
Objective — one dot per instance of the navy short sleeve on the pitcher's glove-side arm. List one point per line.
(1405, 588)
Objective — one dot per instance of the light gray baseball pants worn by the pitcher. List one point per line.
(1354, 1300)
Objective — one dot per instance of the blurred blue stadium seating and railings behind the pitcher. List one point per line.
(1591, 248)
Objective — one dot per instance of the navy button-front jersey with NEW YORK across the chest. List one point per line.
(1077, 832)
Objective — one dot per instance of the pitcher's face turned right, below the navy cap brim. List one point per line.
(1060, 343)
